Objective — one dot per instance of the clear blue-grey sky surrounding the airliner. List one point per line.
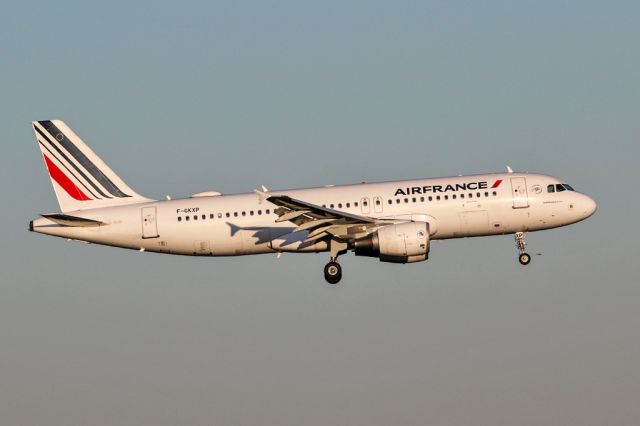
(184, 97)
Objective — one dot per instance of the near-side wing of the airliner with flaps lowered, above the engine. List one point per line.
(322, 222)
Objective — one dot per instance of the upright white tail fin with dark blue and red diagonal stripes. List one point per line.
(80, 179)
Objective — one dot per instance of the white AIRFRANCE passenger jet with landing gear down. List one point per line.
(394, 221)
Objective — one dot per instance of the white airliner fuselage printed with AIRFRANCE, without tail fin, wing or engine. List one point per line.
(242, 224)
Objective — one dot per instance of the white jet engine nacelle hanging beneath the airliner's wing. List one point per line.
(401, 243)
